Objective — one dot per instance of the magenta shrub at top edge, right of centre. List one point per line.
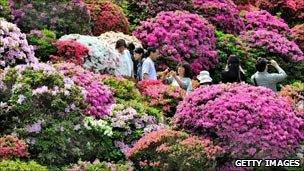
(221, 13)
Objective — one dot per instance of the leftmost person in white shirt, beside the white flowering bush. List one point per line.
(125, 67)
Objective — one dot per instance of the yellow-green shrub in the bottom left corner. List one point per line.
(21, 166)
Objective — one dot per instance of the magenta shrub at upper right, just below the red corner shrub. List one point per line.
(264, 20)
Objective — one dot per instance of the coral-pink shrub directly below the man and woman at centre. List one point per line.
(161, 96)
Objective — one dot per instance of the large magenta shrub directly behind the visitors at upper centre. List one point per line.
(180, 36)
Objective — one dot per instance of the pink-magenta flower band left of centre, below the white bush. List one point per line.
(97, 95)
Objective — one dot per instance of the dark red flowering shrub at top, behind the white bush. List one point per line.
(106, 16)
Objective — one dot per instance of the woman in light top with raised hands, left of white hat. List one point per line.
(181, 78)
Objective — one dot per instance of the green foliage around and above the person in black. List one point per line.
(228, 44)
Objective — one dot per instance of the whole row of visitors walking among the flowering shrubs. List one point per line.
(139, 64)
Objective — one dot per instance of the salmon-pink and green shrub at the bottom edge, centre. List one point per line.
(173, 150)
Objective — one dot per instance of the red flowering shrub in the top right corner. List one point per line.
(290, 10)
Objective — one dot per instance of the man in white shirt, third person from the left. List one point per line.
(148, 67)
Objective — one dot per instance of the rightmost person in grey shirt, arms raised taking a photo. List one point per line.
(265, 79)
